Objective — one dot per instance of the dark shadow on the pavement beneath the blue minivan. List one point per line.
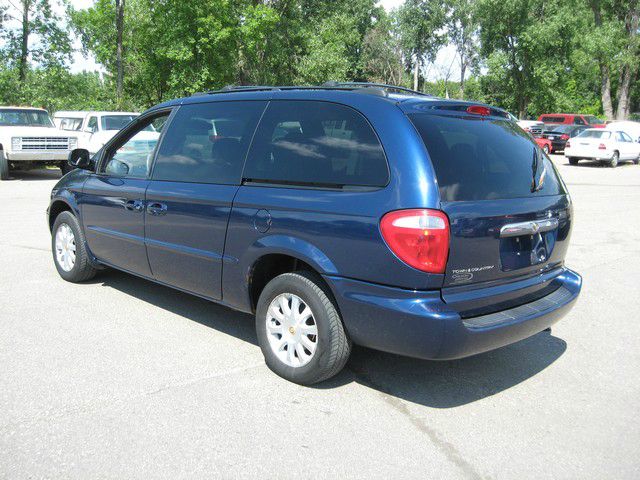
(444, 384)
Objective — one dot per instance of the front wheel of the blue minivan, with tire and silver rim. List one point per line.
(80, 269)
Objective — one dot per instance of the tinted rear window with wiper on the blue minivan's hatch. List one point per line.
(484, 159)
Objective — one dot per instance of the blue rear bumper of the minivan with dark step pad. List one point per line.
(422, 325)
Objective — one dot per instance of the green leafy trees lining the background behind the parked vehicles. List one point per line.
(528, 56)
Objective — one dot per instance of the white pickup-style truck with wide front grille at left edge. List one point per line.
(28, 139)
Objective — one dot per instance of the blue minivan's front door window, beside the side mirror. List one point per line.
(133, 154)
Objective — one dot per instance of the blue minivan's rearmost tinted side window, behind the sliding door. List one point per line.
(316, 143)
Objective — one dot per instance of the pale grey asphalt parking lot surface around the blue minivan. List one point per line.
(122, 378)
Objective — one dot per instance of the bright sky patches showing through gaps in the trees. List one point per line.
(445, 60)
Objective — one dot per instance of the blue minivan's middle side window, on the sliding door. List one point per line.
(208, 142)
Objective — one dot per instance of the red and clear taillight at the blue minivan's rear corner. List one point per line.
(419, 237)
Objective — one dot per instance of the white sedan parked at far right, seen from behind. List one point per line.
(610, 146)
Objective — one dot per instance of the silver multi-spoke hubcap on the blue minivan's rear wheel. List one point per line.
(291, 330)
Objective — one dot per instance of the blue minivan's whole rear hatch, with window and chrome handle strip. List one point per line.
(508, 209)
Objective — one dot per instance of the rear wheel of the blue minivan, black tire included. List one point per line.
(331, 343)
